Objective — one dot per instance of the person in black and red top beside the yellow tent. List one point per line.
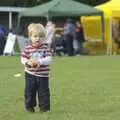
(79, 36)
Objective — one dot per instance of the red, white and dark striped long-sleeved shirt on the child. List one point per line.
(43, 54)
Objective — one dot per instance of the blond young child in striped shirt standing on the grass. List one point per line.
(36, 59)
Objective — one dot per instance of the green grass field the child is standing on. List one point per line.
(82, 88)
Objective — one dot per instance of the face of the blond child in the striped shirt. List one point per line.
(37, 38)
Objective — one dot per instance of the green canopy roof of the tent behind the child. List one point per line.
(60, 8)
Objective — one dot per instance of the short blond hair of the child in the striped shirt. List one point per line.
(36, 27)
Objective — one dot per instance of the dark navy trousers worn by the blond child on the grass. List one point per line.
(37, 85)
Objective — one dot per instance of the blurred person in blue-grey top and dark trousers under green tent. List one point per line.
(69, 31)
